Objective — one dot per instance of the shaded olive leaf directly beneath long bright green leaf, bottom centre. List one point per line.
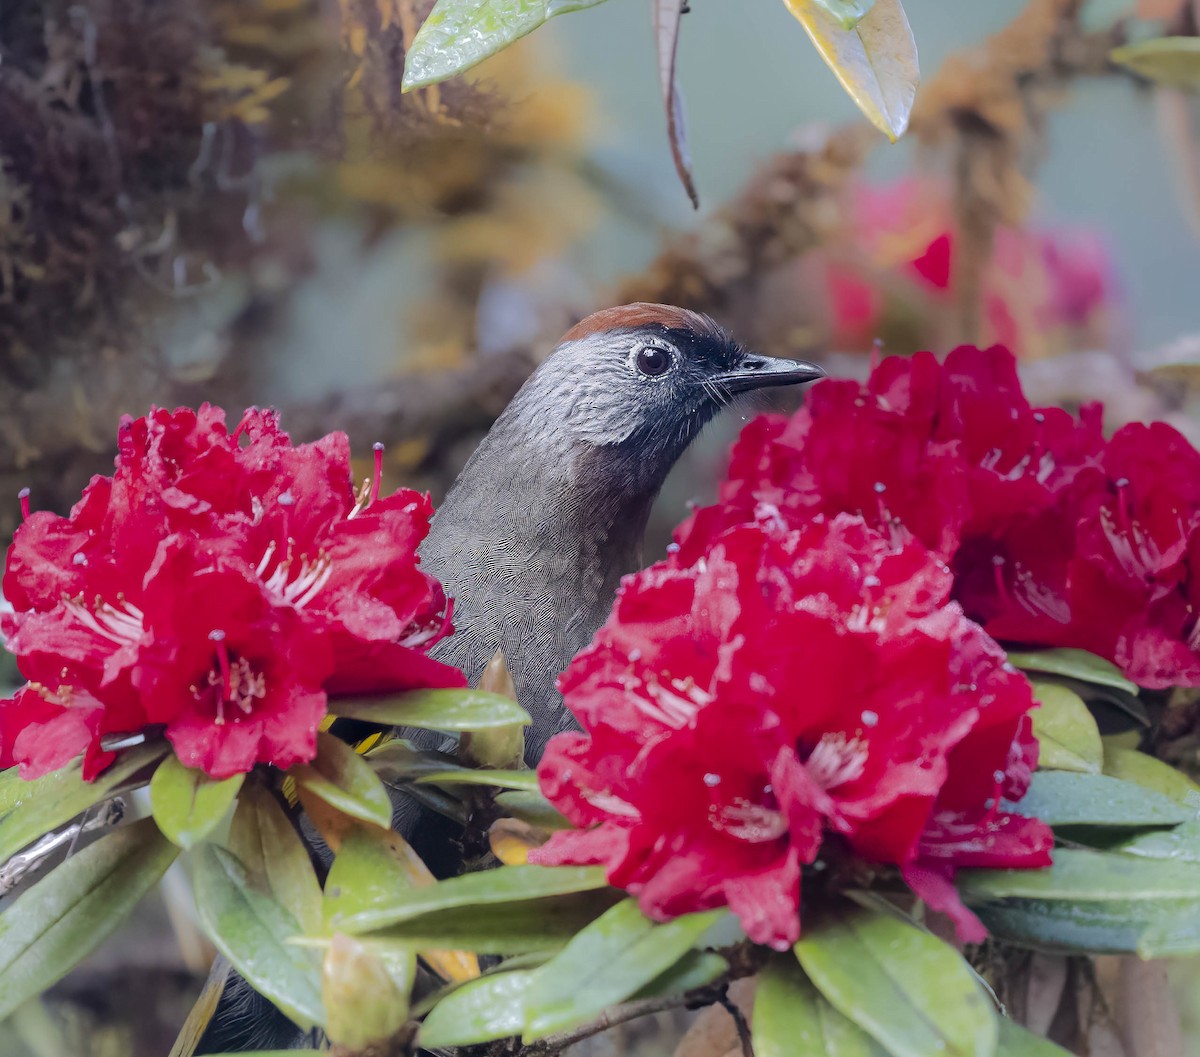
(514, 928)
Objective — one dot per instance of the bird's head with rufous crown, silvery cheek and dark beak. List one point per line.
(647, 379)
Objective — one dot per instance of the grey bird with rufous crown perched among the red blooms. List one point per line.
(547, 517)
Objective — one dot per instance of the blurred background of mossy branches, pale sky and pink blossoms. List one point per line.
(232, 201)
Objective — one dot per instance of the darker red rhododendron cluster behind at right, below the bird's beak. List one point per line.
(1057, 536)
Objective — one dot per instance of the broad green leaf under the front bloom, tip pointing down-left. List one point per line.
(610, 960)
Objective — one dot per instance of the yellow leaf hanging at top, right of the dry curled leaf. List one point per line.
(877, 62)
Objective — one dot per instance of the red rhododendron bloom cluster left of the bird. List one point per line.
(220, 585)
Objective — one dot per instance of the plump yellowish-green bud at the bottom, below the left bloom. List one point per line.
(365, 994)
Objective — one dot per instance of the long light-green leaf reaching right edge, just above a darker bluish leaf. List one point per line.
(1085, 876)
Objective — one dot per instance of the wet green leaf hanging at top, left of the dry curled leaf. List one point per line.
(460, 34)
